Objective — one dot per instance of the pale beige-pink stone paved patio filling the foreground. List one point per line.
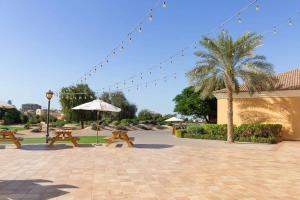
(209, 170)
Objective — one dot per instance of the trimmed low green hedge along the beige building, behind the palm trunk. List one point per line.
(260, 133)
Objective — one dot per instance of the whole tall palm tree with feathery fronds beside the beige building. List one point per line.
(224, 62)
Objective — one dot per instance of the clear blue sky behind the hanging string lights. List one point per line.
(48, 44)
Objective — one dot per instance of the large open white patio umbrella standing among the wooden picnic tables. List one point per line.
(98, 105)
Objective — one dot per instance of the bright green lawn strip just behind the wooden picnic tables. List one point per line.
(42, 140)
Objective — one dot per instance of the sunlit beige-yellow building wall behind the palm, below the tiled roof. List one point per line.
(282, 108)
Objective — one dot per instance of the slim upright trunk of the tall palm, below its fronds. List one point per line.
(230, 116)
